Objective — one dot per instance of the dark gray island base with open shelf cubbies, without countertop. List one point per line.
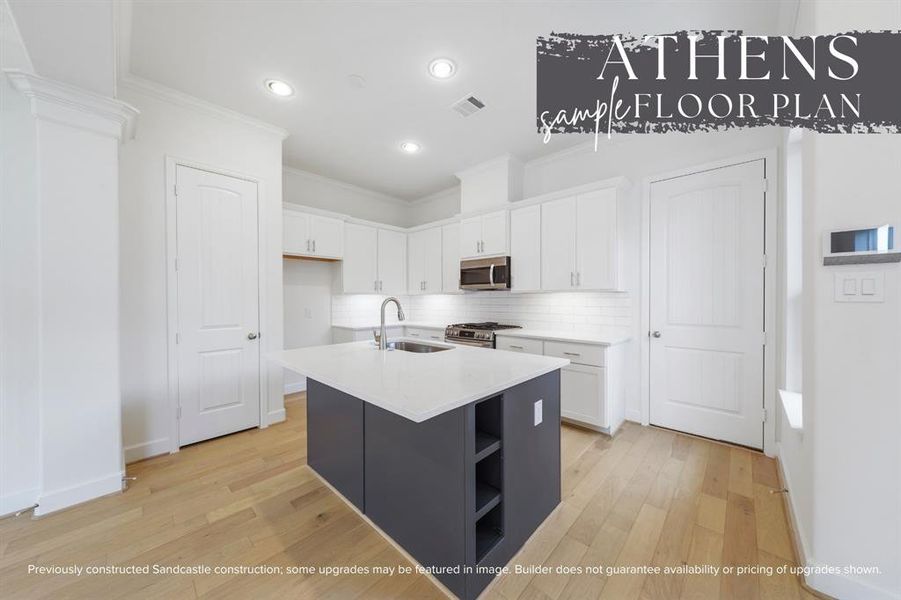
(462, 491)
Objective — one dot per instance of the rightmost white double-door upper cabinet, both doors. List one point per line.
(580, 243)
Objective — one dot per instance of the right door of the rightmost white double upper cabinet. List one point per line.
(596, 241)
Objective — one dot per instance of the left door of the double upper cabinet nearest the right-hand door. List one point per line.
(558, 244)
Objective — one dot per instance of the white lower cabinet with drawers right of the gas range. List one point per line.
(591, 392)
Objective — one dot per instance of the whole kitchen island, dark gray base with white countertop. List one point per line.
(453, 453)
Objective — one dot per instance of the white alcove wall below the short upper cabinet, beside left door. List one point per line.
(308, 309)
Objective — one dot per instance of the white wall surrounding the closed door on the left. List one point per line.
(182, 130)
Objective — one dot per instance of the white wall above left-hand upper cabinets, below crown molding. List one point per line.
(309, 189)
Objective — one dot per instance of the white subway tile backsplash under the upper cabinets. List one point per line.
(557, 311)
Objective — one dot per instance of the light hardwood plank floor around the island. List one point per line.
(647, 496)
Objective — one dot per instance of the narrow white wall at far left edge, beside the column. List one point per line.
(19, 284)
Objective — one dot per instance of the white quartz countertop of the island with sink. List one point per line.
(416, 386)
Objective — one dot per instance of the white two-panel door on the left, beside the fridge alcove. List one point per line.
(218, 305)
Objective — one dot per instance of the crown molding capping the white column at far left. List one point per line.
(53, 100)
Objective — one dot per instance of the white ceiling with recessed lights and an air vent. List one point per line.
(223, 51)
